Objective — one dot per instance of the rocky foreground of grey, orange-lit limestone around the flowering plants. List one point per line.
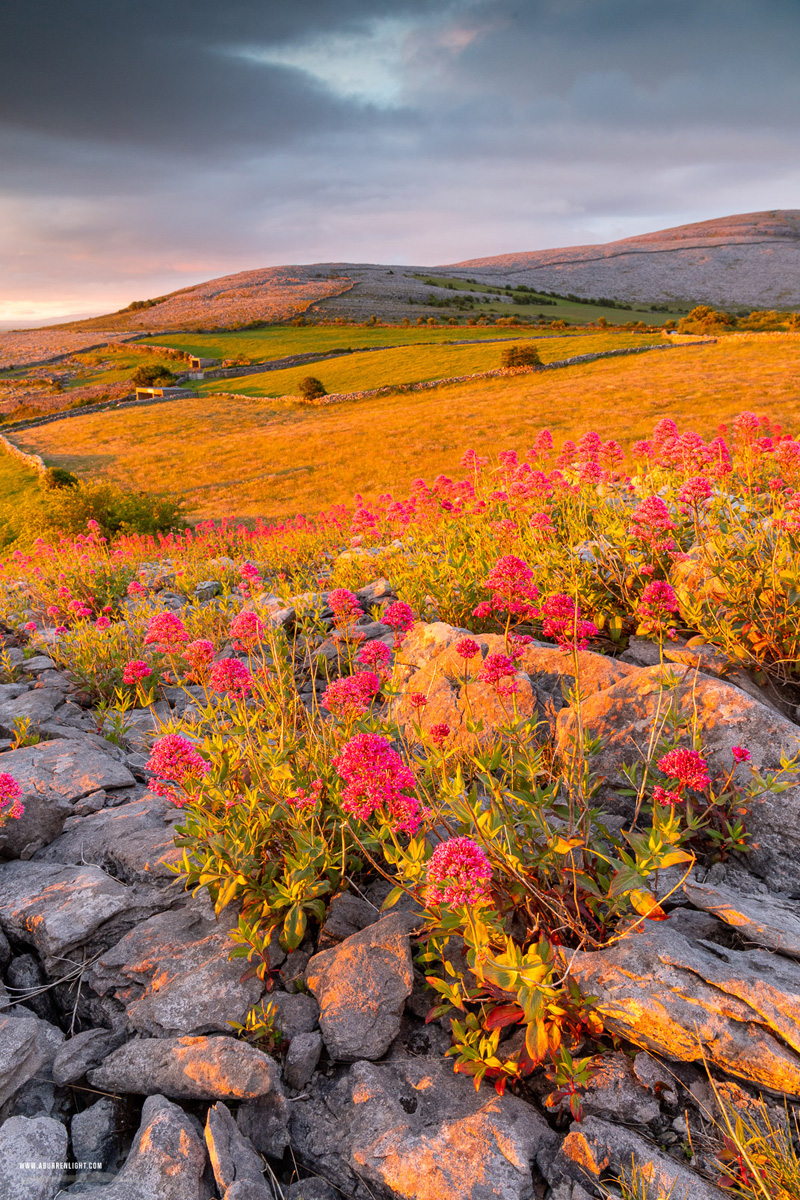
(117, 1046)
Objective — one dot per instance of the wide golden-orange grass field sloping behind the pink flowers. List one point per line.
(274, 458)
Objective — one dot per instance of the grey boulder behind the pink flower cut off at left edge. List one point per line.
(53, 776)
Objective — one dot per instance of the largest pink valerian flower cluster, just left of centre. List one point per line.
(377, 779)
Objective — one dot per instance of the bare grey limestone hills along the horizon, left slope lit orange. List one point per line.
(748, 261)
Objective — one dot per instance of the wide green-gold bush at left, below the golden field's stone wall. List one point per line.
(69, 509)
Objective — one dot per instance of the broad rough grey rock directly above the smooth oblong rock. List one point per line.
(175, 976)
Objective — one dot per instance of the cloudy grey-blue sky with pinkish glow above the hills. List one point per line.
(152, 145)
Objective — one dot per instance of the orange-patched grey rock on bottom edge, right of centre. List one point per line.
(599, 1150)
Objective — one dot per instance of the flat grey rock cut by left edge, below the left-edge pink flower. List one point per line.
(56, 908)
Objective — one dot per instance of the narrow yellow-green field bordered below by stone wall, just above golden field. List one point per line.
(416, 364)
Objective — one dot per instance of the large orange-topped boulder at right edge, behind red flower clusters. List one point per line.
(623, 719)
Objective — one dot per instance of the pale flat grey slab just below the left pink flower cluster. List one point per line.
(134, 841)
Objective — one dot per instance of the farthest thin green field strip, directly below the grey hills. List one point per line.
(262, 345)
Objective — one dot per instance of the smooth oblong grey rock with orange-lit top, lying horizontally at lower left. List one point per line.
(190, 1069)
